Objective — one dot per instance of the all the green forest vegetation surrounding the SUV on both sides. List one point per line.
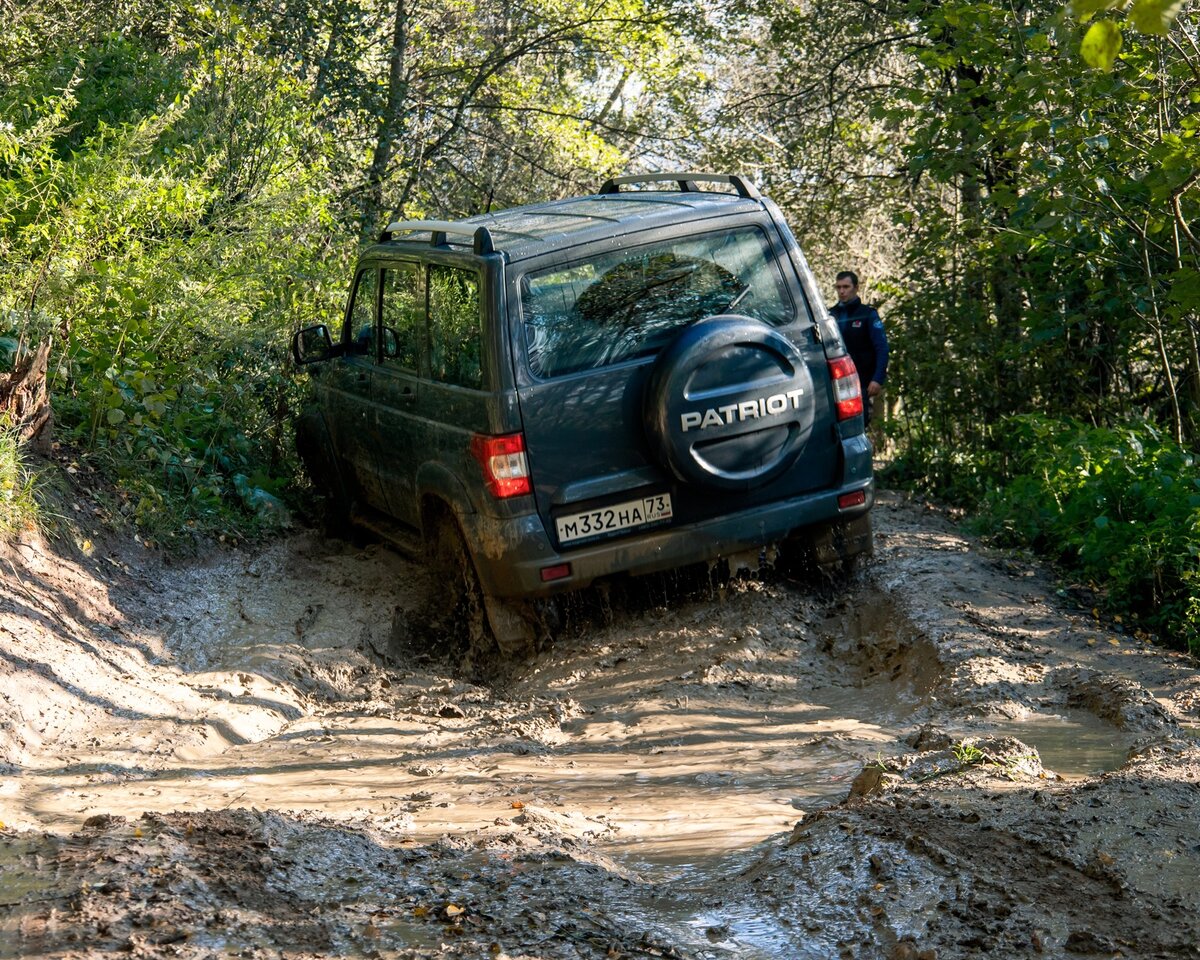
(184, 184)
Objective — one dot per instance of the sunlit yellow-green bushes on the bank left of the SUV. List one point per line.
(169, 245)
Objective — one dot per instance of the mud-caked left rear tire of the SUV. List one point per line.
(481, 623)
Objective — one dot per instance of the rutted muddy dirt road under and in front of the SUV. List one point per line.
(233, 758)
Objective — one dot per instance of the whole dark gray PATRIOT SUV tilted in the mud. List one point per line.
(611, 385)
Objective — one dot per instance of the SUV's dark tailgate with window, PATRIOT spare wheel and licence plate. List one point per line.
(598, 332)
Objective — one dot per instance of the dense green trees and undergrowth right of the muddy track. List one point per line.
(1043, 260)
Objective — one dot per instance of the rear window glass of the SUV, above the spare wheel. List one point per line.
(631, 303)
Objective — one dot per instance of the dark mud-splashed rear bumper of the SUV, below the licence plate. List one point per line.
(514, 553)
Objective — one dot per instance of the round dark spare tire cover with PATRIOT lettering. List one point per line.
(730, 404)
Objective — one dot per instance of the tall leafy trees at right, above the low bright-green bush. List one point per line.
(1047, 269)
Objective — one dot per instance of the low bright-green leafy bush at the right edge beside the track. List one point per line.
(1119, 506)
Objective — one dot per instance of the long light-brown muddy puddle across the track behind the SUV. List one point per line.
(688, 777)
